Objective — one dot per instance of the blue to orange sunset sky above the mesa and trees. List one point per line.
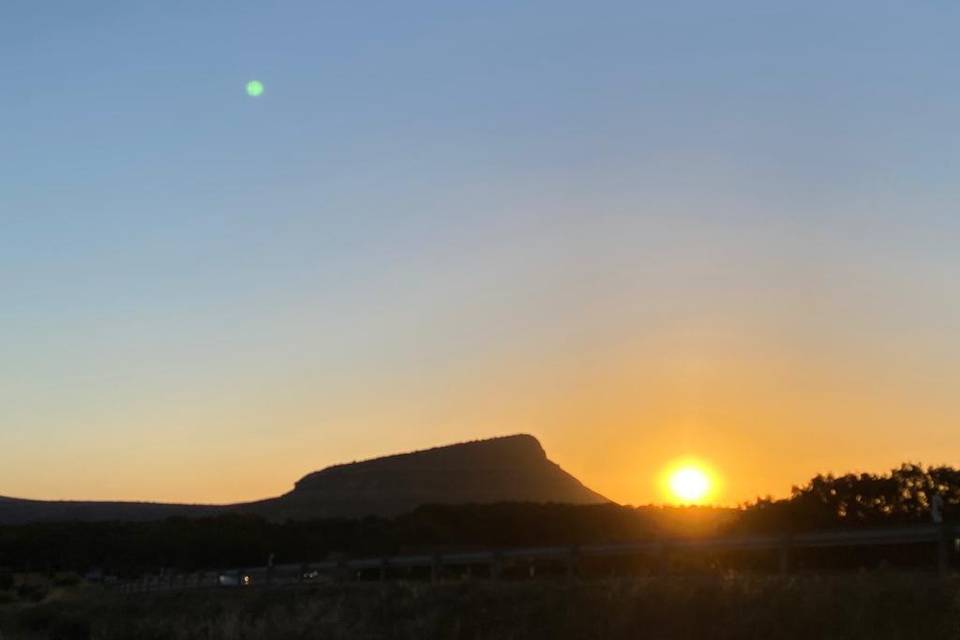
(639, 231)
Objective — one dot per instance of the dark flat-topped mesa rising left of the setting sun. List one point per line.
(507, 469)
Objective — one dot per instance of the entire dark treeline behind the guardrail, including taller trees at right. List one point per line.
(899, 497)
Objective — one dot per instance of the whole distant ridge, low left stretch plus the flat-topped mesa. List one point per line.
(506, 469)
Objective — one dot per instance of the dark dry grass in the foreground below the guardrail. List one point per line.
(877, 607)
